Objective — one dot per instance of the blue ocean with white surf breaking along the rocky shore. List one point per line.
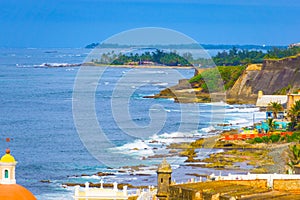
(38, 107)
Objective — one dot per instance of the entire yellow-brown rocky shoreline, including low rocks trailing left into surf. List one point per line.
(234, 156)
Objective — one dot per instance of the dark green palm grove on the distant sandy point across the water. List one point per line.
(157, 57)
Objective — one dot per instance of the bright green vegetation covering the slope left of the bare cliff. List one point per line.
(210, 78)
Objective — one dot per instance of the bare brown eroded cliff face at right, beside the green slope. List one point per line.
(270, 77)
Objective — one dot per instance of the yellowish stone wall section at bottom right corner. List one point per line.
(286, 184)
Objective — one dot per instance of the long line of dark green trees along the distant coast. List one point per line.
(232, 57)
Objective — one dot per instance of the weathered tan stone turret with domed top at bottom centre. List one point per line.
(164, 172)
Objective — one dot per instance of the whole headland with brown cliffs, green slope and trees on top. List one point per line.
(275, 74)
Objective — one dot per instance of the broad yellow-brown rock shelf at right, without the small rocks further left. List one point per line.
(237, 155)
